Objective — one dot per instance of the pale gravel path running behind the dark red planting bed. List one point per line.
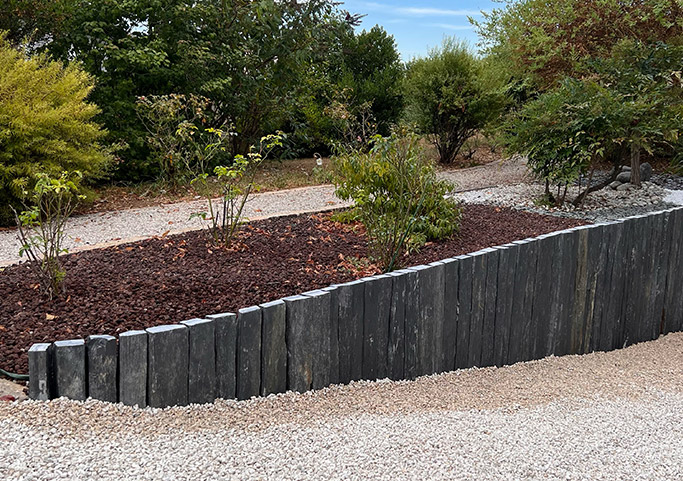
(111, 228)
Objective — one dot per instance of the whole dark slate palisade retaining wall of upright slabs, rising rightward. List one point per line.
(598, 287)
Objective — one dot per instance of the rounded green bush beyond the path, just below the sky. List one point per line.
(449, 97)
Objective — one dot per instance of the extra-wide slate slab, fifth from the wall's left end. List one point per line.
(167, 366)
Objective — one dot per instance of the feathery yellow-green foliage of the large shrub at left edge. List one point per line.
(46, 124)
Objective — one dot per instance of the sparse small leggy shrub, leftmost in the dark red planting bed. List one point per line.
(41, 227)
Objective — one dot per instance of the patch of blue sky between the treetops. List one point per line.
(418, 26)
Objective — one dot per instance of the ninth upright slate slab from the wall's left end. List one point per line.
(273, 348)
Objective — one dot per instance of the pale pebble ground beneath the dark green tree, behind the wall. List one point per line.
(600, 206)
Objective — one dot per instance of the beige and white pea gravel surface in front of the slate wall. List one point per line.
(616, 415)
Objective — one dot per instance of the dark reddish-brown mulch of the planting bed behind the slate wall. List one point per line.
(166, 280)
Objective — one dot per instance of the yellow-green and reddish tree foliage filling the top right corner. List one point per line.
(549, 40)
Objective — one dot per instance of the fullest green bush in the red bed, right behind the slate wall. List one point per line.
(397, 196)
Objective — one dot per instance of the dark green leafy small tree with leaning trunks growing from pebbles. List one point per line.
(633, 101)
